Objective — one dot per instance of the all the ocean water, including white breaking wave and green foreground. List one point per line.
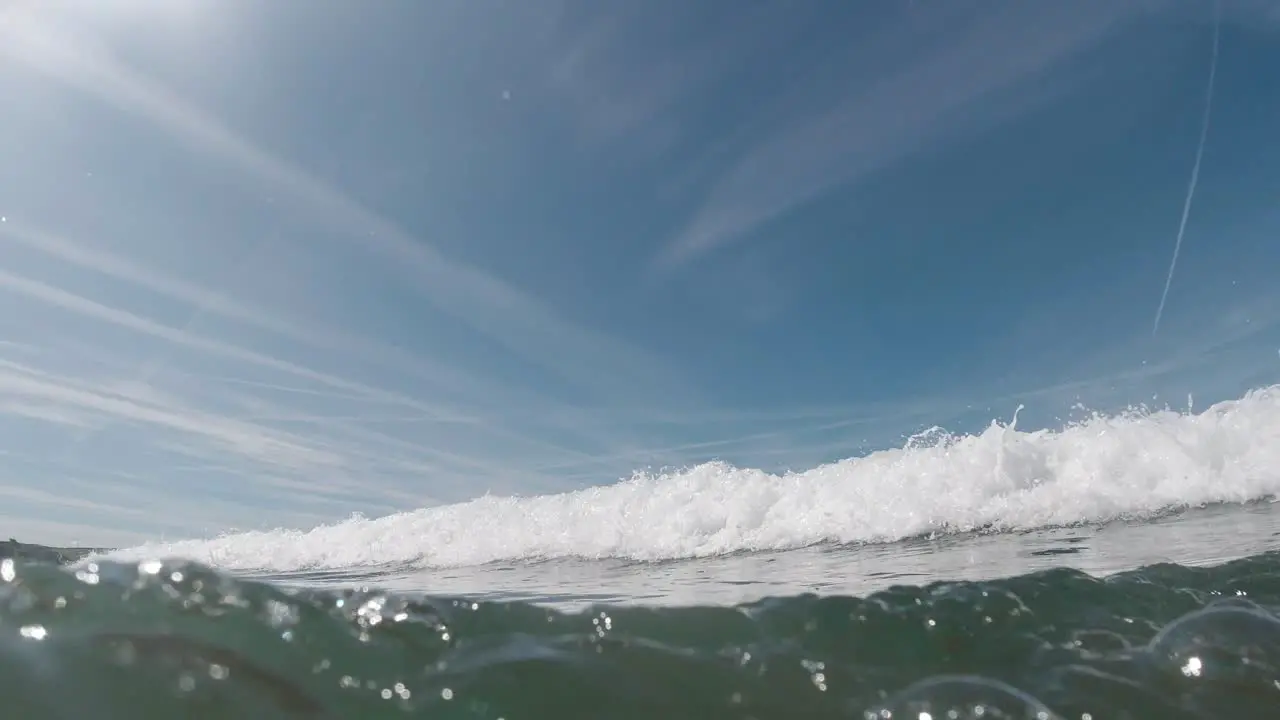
(1123, 567)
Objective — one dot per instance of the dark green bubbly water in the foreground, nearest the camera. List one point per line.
(117, 641)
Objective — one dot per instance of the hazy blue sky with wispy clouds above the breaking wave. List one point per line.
(273, 263)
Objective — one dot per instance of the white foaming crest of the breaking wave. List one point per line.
(1004, 479)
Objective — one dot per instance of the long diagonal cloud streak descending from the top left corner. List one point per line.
(513, 318)
